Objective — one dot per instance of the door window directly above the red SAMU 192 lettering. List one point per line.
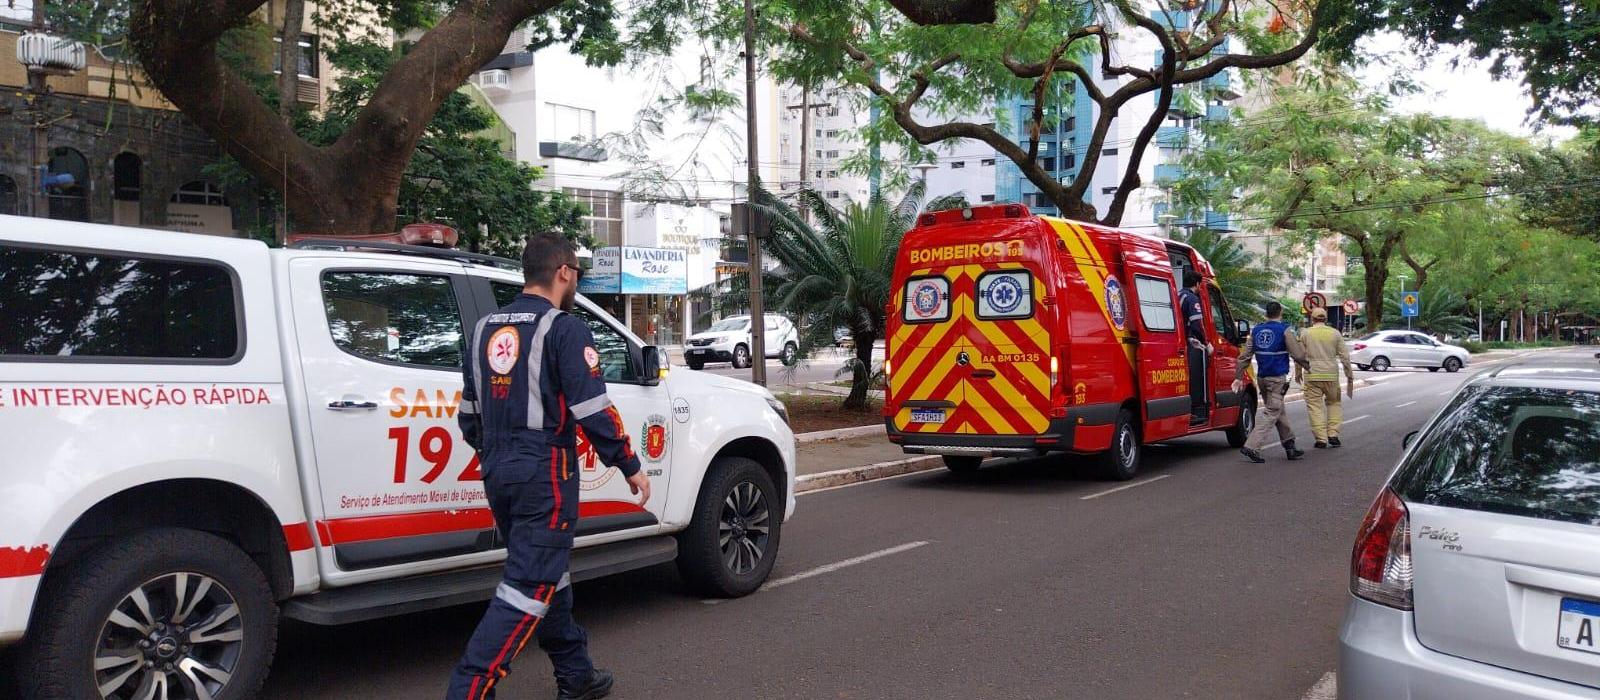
(394, 317)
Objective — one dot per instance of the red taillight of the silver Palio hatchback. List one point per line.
(1382, 563)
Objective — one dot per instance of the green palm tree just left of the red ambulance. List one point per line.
(836, 272)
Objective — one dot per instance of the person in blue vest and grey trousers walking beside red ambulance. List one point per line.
(1274, 349)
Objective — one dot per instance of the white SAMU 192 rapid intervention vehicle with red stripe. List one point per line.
(204, 436)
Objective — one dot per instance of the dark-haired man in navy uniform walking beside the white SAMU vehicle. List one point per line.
(532, 380)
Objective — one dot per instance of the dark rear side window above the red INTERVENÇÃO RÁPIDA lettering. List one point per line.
(87, 306)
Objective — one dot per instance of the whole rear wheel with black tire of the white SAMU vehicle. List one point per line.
(86, 616)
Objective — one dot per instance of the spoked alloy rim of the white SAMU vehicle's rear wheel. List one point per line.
(177, 637)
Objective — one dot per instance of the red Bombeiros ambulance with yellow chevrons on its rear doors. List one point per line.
(1018, 335)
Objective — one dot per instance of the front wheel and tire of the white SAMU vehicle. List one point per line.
(732, 543)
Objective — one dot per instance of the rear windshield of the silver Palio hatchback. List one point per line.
(1508, 450)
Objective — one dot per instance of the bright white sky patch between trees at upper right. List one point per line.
(1466, 90)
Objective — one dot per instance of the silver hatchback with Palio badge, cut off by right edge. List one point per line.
(1478, 571)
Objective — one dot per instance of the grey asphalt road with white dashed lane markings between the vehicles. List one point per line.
(1206, 578)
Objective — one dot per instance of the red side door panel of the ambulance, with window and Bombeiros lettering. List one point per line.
(1161, 364)
